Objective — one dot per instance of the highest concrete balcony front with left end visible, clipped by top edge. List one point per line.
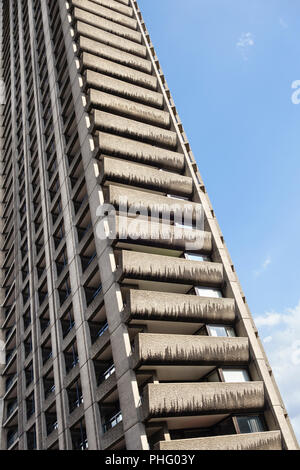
(107, 13)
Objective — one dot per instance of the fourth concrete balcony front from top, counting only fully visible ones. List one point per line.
(113, 69)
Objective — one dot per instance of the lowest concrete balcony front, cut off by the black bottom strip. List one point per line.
(257, 441)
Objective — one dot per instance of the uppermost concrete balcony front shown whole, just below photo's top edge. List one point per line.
(107, 25)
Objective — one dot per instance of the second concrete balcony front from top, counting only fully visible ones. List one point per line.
(110, 39)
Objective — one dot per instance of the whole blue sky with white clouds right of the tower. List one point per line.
(230, 65)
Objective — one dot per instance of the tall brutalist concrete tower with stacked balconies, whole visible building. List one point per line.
(140, 339)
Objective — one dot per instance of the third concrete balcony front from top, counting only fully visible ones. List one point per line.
(110, 53)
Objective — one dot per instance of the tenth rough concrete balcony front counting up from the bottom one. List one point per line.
(129, 128)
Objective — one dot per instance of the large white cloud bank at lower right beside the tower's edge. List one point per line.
(283, 351)
